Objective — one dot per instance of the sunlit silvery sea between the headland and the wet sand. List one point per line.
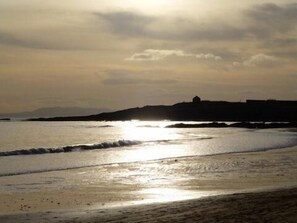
(35, 147)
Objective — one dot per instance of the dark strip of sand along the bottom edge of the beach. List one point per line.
(275, 206)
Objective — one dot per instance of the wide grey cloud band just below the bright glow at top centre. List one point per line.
(134, 25)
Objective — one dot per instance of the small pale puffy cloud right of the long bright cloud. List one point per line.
(258, 60)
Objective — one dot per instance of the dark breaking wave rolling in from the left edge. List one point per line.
(66, 149)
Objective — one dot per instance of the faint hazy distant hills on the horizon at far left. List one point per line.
(55, 112)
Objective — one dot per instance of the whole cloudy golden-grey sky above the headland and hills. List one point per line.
(127, 53)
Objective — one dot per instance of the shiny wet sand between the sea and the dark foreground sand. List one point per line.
(141, 183)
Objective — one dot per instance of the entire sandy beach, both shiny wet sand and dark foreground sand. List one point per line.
(243, 187)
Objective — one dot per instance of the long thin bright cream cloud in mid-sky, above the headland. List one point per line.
(156, 55)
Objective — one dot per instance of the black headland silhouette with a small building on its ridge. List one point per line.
(198, 110)
